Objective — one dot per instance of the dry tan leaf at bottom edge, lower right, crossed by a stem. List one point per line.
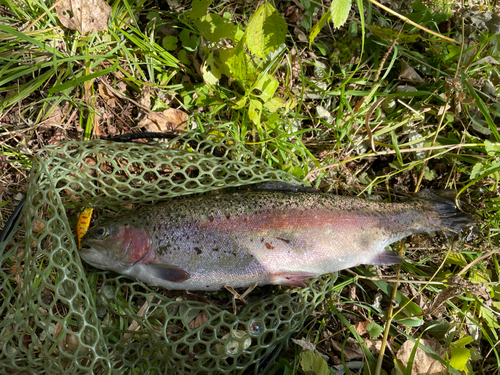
(423, 363)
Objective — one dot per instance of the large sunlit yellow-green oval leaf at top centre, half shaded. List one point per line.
(266, 31)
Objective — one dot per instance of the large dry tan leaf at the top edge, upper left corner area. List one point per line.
(84, 15)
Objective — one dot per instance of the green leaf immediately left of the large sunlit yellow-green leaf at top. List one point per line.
(215, 28)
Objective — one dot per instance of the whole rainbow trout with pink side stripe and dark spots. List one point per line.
(263, 237)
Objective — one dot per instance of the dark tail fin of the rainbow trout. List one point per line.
(442, 202)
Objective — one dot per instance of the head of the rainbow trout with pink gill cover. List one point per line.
(116, 246)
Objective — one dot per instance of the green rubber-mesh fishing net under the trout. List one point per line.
(59, 315)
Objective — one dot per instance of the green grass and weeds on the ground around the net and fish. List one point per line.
(441, 135)
